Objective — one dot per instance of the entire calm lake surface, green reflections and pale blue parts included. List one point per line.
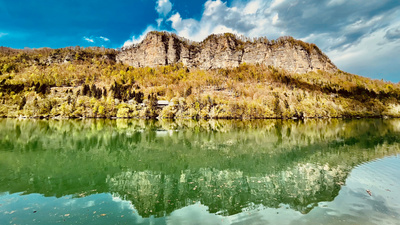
(199, 172)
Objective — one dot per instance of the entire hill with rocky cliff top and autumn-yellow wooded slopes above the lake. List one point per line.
(289, 78)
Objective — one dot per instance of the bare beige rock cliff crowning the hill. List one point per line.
(225, 51)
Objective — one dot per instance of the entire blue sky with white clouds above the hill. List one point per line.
(359, 36)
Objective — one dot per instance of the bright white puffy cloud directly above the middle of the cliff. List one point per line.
(217, 17)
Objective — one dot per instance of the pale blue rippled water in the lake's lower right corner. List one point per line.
(372, 192)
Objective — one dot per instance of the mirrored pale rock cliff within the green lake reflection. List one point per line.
(228, 192)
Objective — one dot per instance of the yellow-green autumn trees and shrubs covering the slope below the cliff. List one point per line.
(87, 82)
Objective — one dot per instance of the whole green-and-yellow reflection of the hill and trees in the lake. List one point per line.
(161, 167)
